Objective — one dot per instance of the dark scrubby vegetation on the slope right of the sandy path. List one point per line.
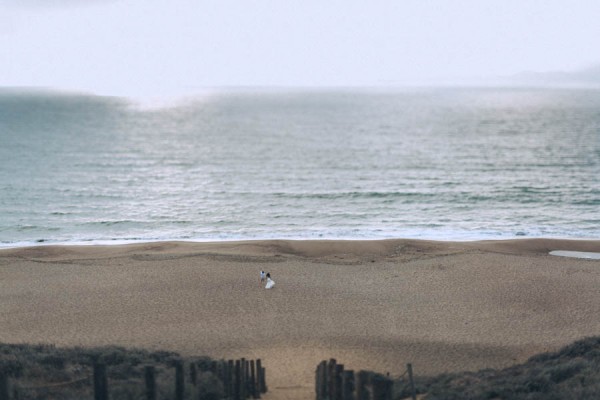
(571, 373)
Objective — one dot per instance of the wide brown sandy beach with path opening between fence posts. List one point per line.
(376, 305)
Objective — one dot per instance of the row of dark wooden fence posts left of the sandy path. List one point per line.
(241, 379)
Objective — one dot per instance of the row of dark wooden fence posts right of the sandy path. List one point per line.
(332, 382)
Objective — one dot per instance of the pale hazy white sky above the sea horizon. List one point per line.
(139, 47)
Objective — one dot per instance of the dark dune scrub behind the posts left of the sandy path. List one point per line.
(49, 372)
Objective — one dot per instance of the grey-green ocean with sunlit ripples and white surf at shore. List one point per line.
(442, 164)
